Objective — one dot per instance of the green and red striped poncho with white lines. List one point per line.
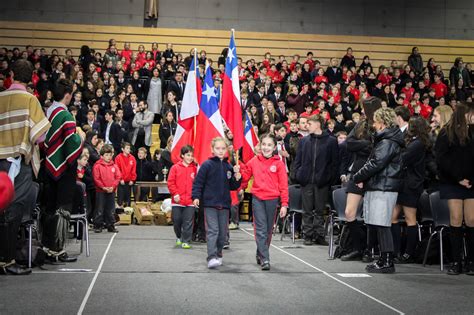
(63, 145)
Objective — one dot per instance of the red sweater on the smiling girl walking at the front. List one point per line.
(270, 178)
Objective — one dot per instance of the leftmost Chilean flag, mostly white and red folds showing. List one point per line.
(189, 110)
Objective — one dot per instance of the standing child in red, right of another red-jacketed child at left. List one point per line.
(127, 165)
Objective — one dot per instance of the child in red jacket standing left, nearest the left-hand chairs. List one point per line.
(106, 178)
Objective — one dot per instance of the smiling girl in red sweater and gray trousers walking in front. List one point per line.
(269, 190)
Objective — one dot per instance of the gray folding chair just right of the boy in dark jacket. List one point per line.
(339, 198)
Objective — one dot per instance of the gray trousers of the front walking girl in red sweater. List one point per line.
(264, 215)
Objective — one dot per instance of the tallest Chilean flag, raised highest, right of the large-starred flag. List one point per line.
(230, 103)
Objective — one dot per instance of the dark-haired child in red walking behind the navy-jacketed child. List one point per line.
(180, 185)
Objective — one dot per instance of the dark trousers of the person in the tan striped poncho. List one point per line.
(10, 220)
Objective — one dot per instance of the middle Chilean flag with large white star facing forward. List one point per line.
(209, 121)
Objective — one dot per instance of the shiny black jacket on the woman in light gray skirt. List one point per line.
(382, 171)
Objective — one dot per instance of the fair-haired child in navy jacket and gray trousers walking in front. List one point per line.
(211, 190)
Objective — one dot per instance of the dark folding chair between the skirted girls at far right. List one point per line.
(440, 212)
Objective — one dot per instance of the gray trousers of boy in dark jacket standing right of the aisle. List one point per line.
(314, 200)
